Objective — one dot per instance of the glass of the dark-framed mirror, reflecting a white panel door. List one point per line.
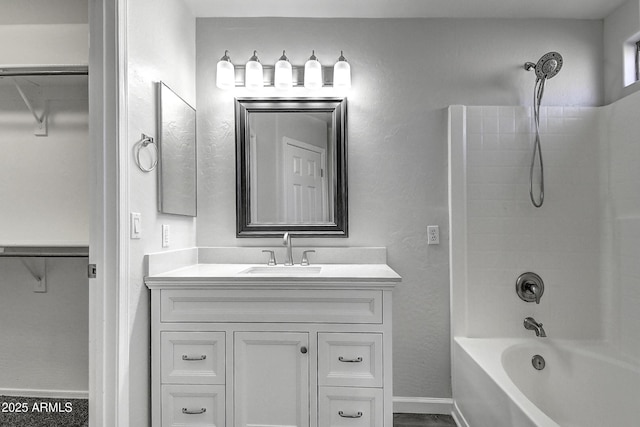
(289, 174)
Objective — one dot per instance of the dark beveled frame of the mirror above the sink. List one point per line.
(338, 108)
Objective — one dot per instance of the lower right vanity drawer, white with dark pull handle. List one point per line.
(350, 407)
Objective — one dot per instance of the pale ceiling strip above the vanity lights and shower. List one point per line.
(570, 9)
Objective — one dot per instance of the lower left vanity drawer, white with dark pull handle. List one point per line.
(193, 405)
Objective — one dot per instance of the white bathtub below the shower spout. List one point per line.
(582, 384)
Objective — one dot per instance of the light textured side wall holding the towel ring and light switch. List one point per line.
(161, 47)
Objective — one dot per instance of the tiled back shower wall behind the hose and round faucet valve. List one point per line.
(507, 235)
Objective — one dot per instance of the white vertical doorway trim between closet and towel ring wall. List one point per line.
(108, 250)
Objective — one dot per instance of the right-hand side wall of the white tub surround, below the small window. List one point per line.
(622, 225)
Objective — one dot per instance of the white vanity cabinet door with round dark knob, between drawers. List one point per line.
(271, 379)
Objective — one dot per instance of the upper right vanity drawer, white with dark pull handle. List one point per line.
(350, 359)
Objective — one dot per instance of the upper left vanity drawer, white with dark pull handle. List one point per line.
(192, 357)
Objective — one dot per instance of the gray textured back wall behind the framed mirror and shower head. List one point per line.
(405, 74)
